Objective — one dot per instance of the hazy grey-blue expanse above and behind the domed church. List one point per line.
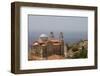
(74, 28)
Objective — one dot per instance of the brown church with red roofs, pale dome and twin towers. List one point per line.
(47, 46)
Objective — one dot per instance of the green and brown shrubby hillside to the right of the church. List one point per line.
(78, 50)
